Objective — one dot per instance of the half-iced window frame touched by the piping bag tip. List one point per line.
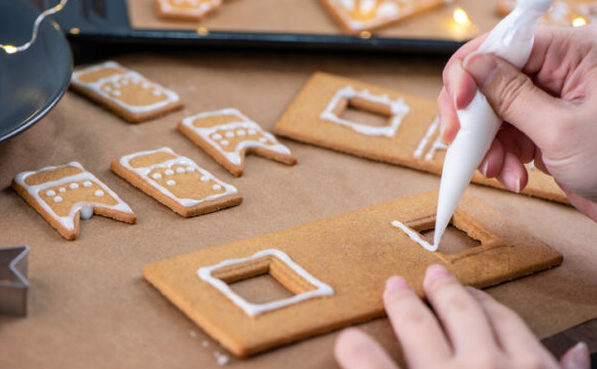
(461, 221)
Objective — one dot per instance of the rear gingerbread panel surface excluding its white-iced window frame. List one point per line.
(414, 144)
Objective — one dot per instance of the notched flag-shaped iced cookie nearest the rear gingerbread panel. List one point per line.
(227, 135)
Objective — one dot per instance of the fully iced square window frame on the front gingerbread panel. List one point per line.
(278, 265)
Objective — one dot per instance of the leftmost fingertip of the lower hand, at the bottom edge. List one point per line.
(356, 350)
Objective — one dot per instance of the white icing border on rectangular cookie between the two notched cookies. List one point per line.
(143, 172)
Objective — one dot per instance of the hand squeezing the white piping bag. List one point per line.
(550, 109)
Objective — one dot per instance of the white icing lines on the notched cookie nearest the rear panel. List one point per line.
(245, 123)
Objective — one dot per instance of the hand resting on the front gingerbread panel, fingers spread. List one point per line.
(469, 329)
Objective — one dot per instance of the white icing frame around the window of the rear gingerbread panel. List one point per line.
(397, 110)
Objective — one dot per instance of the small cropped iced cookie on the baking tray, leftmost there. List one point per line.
(192, 10)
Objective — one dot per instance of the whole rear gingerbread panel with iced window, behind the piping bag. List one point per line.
(409, 138)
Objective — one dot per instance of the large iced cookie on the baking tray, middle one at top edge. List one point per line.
(356, 16)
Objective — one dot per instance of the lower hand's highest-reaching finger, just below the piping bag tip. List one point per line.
(461, 315)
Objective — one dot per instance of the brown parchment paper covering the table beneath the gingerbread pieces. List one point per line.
(88, 304)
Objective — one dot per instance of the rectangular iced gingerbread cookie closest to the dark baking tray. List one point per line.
(92, 88)
